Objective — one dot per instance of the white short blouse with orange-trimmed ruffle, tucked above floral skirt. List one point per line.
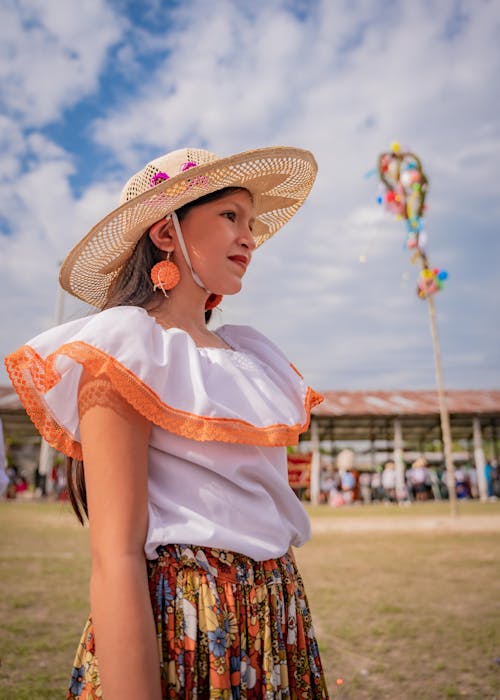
(217, 473)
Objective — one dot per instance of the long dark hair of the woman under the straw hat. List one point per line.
(132, 287)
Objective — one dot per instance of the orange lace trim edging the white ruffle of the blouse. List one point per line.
(31, 376)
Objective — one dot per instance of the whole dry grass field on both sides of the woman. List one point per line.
(399, 616)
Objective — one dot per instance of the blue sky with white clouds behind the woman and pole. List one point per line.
(91, 91)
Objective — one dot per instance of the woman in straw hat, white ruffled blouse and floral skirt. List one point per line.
(177, 435)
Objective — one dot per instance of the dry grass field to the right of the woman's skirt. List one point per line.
(407, 616)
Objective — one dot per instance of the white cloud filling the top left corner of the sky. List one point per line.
(52, 53)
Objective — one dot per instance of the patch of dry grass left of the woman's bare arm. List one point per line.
(43, 598)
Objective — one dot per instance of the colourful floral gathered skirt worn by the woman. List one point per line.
(228, 627)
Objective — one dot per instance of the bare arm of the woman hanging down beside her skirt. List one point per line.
(115, 444)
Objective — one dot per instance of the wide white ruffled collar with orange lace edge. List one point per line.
(246, 393)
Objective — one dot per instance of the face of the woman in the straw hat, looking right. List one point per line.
(220, 242)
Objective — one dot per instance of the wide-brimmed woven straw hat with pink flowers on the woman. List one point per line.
(279, 179)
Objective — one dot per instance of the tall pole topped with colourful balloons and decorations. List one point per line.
(404, 187)
